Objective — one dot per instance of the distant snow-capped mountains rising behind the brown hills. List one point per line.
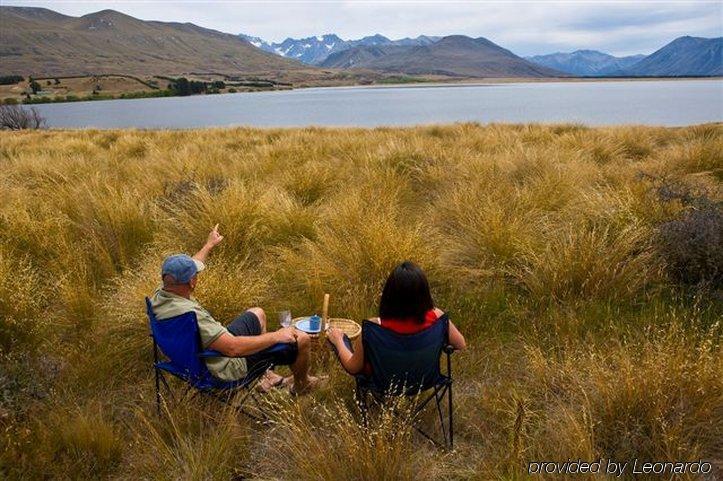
(314, 50)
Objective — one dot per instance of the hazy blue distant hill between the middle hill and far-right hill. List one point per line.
(585, 62)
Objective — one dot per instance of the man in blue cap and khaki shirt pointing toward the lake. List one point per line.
(245, 340)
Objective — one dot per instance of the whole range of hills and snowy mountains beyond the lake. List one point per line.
(41, 42)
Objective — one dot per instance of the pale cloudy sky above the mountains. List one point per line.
(524, 27)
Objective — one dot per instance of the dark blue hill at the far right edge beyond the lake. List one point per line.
(683, 56)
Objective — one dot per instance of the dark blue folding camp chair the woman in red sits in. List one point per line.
(409, 364)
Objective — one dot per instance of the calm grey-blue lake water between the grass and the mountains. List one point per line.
(664, 102)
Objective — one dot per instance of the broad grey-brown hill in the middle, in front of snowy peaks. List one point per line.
(455, 56)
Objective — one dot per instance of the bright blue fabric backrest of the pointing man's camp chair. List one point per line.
(178, 339)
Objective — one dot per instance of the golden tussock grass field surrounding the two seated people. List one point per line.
(569, 257)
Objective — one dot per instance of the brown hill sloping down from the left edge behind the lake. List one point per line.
(41, 42)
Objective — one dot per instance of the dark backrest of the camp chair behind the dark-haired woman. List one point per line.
(406, 363)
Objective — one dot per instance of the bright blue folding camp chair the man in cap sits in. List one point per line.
(179, 340)
